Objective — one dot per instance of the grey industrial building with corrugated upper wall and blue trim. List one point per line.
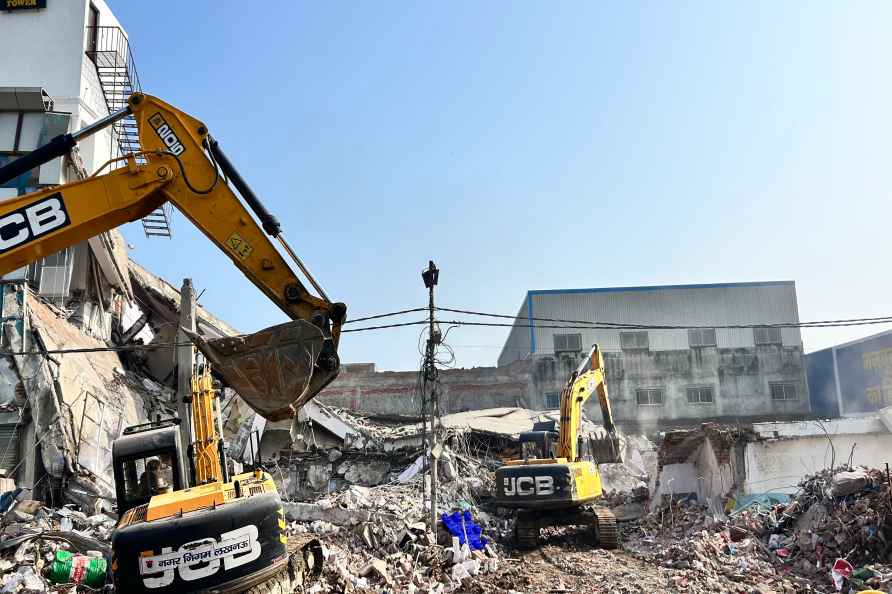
(663, 376)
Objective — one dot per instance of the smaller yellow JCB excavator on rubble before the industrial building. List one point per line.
(552, 485)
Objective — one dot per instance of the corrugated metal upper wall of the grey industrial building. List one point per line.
(715, 305)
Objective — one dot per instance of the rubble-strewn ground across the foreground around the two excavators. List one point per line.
(833, 535)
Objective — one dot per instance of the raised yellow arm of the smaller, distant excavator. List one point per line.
(588, 379)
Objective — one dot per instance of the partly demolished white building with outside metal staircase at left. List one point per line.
(66, 388)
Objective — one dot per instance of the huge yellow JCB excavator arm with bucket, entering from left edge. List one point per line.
(276, 370)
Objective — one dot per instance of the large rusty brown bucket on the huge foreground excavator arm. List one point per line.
(275, 371)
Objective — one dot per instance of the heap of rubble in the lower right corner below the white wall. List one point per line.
(834, 534)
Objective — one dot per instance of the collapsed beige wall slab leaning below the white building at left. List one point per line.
(78, 404)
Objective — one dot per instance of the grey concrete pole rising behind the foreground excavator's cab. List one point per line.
(185, 360)
